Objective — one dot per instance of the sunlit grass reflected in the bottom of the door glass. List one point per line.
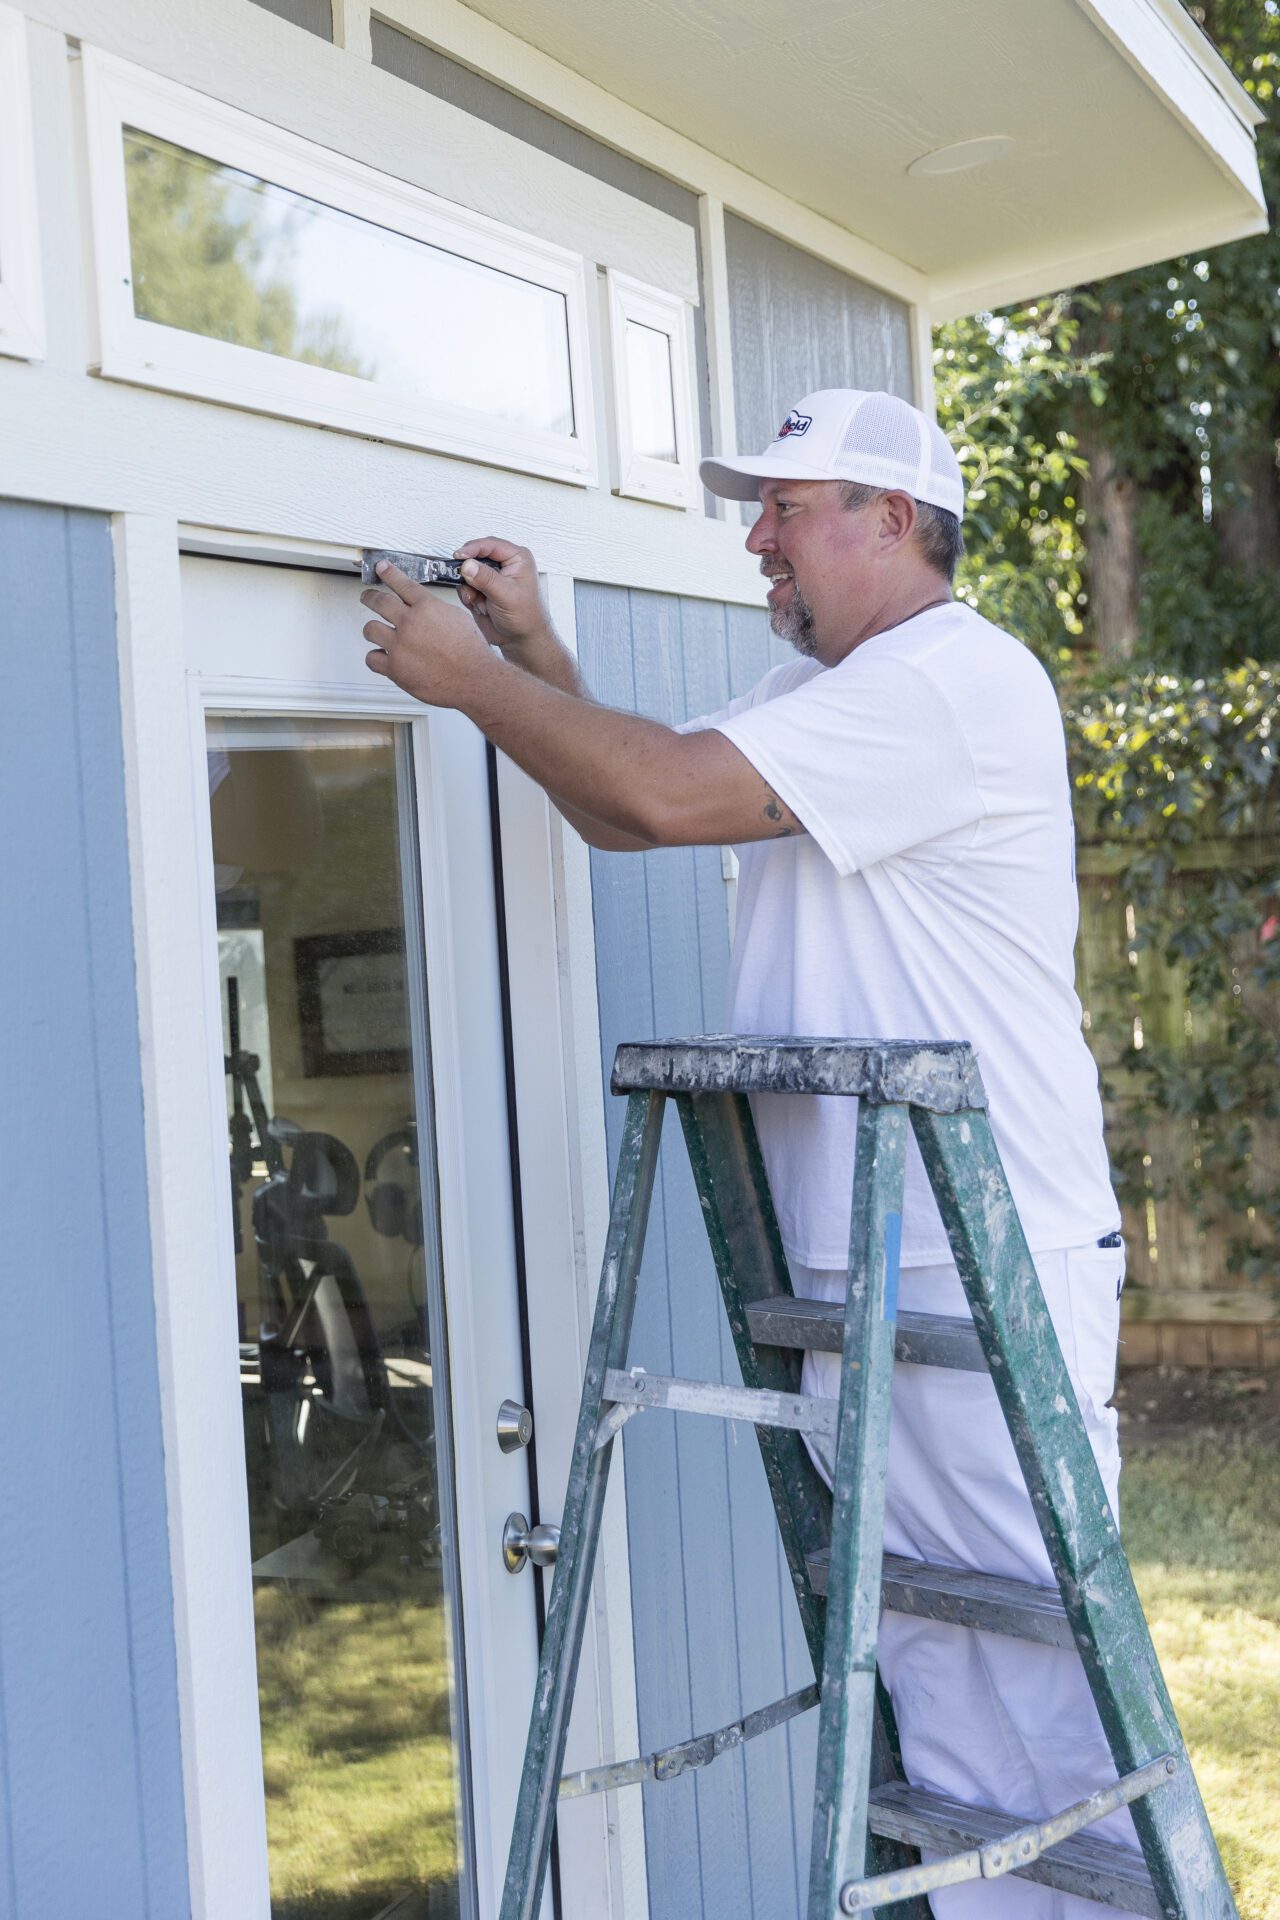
(356, 1756)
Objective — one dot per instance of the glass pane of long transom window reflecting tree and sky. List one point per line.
(235, 258)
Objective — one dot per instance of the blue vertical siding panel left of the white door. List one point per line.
(89, 1731)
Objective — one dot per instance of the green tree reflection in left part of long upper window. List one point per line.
(214, 258)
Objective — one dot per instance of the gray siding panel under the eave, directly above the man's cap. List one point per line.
(797, 325)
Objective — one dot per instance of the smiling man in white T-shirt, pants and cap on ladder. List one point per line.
(901, 807)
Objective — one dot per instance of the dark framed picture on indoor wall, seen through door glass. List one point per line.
(352, 1003)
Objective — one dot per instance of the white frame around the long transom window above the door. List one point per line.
(143, 352)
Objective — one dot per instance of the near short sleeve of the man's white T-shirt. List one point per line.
(868, 756)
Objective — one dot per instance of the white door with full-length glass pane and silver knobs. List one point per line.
(356, 1045)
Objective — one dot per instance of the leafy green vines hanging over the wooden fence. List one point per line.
(1183, 782)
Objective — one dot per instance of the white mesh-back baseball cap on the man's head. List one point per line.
(847, 435)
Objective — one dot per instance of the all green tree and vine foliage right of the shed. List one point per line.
(1173, 373)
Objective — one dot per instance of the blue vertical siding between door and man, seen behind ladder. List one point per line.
(717, 1629)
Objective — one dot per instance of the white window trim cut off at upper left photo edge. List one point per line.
(22, 300)
